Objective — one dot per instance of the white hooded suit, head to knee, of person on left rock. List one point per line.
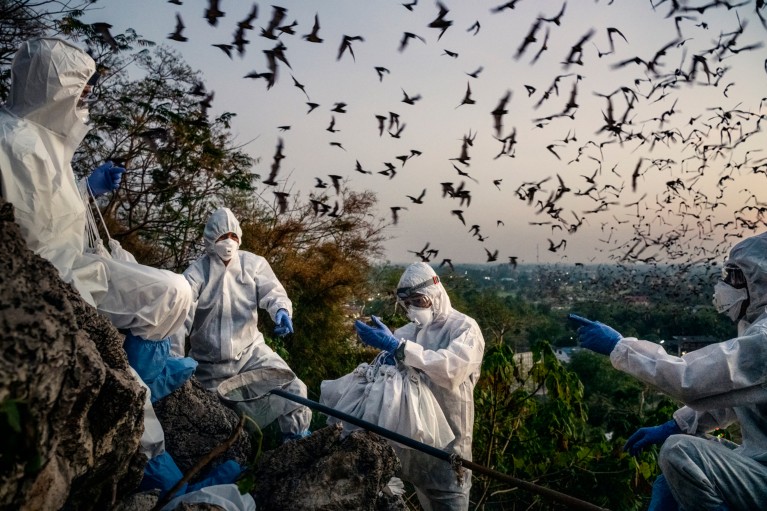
(40, 128)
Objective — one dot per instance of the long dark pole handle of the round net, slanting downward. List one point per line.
(455, 460)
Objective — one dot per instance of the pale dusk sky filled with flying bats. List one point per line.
(677, 175)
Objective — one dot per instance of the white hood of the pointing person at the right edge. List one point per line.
(750, 255)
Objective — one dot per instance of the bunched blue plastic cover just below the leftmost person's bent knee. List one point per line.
(161, 373)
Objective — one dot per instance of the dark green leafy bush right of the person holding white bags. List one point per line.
(531, 423)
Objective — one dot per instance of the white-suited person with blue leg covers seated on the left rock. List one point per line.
(41, 125)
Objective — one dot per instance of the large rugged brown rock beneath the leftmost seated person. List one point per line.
(70, 412)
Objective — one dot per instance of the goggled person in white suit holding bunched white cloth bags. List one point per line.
(446, 347)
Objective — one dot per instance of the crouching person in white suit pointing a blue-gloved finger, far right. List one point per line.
(719, 384)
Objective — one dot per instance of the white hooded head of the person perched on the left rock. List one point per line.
(48, 76)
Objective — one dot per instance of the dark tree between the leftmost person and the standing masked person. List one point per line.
(180, 164)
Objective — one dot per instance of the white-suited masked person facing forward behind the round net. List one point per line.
(229, 285)
